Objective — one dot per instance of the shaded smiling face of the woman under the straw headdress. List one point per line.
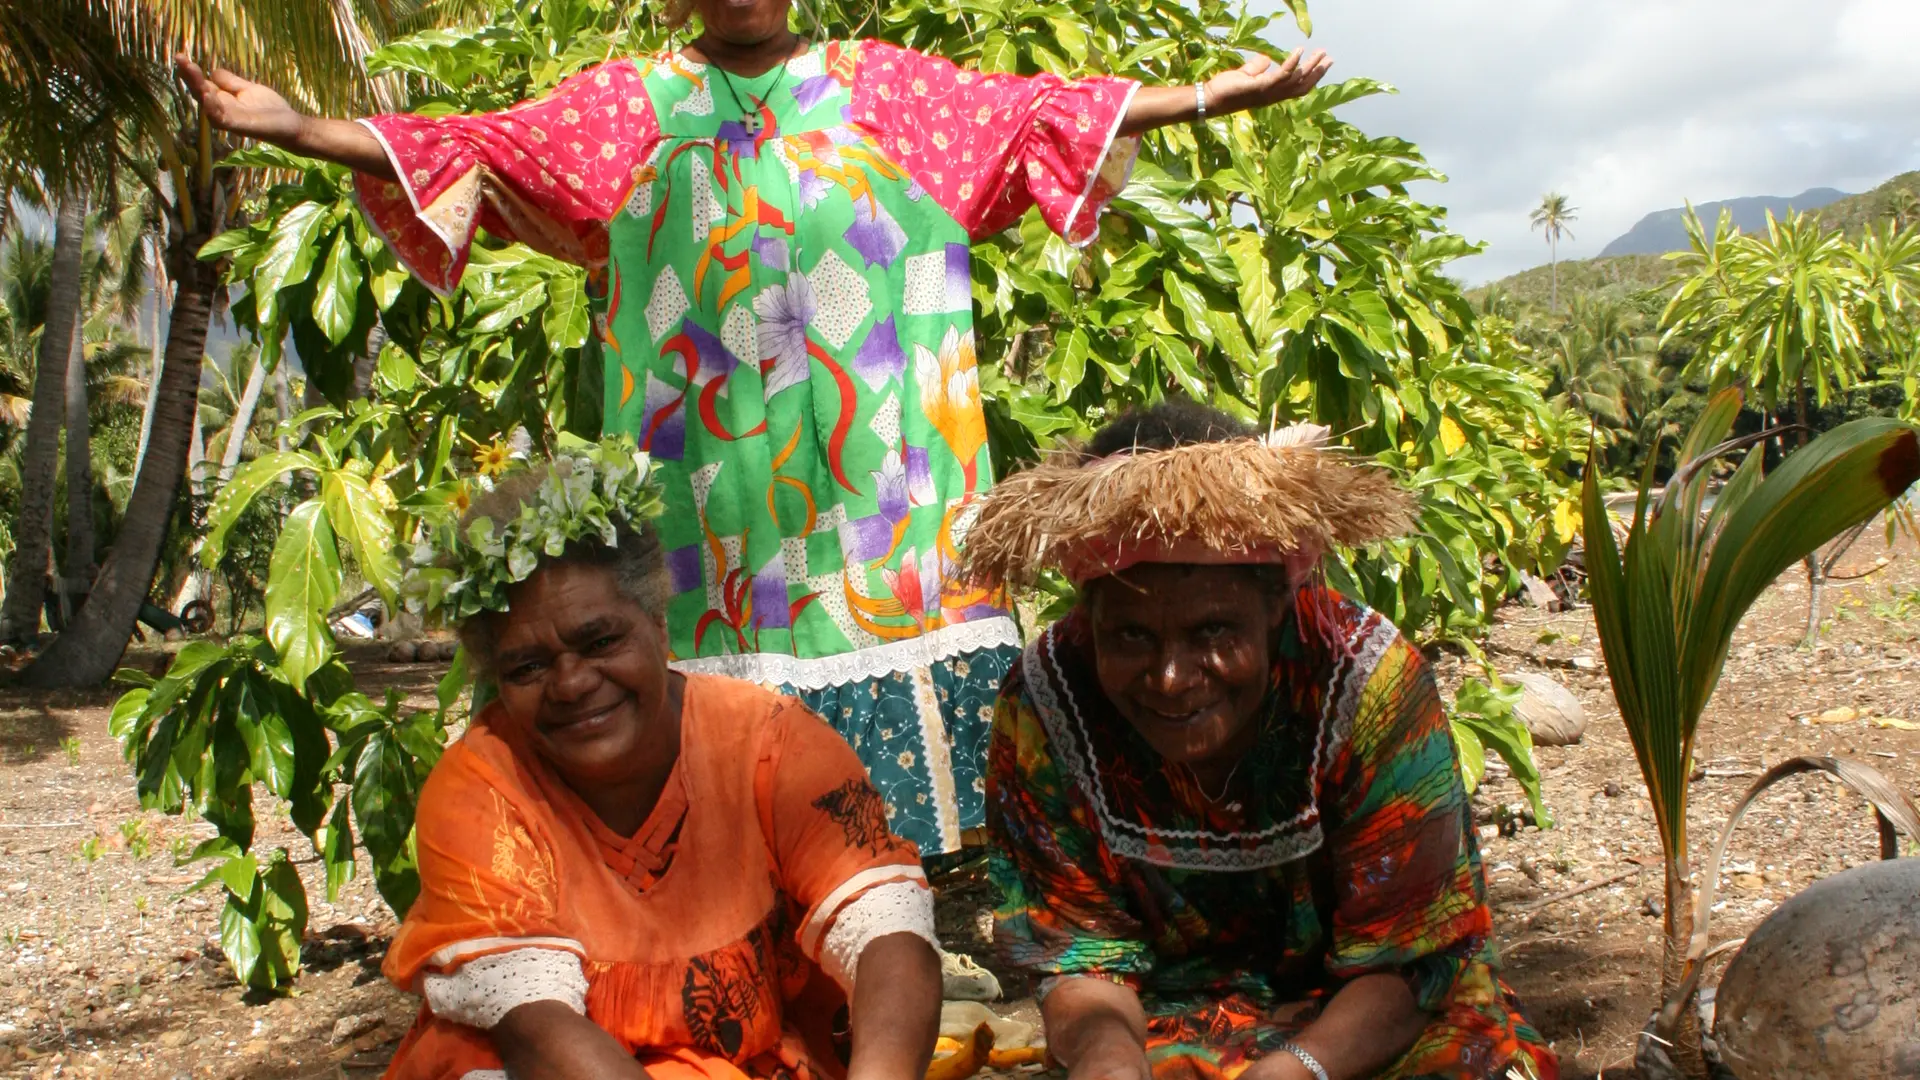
(1186, 654)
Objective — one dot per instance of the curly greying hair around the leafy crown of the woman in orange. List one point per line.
(636, 558)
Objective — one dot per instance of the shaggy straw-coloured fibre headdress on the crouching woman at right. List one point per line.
(1230, 497)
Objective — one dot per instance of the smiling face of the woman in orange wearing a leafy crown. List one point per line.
(583, 677)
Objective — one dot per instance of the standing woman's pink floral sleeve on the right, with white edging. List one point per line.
(988, 147)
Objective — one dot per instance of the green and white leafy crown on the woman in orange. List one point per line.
(588, 491)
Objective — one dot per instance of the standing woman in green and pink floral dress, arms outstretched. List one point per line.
(779, 233)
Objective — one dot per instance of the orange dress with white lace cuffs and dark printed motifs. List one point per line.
(700, 939)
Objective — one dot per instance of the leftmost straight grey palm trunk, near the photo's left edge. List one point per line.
(26, 589)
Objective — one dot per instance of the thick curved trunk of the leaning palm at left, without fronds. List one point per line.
(91, 649)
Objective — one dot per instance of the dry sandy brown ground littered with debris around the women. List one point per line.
(108, 968)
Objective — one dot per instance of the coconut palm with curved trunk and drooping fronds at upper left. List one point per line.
(116, 53)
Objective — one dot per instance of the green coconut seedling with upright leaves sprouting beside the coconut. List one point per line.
(1669, 599)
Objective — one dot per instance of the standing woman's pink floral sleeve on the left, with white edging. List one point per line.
(548, 174)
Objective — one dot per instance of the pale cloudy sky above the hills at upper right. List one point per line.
(1629, 107)
